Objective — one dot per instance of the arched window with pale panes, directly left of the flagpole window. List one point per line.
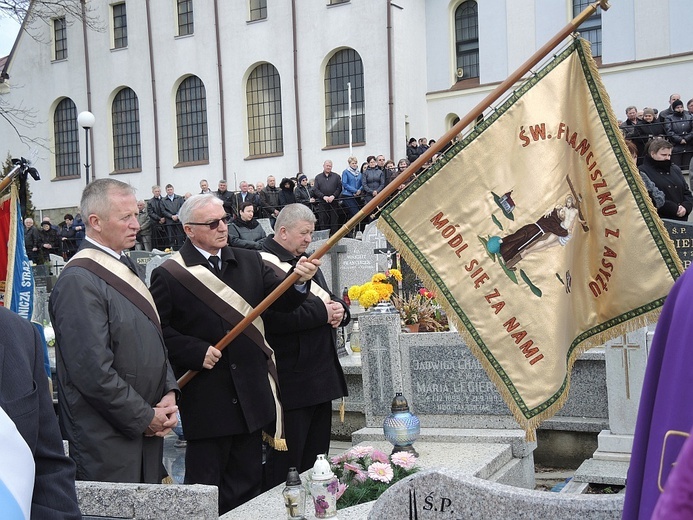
(264, 102)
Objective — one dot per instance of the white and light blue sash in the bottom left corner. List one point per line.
(16, 471)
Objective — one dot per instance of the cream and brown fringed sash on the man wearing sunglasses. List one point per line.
(233, 308)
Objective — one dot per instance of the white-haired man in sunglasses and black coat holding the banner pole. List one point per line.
(201, 293)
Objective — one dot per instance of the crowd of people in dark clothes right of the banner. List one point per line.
(661, 143)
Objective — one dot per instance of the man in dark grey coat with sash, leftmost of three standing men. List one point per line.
(116, 390)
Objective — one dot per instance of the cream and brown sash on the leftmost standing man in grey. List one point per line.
(120, 277)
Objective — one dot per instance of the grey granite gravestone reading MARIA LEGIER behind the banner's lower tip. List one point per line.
(447, 387)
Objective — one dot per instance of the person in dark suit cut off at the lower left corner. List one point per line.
(26, 401)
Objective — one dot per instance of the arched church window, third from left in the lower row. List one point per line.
(191, 121)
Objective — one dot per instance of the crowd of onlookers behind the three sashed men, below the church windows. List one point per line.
(332, 197)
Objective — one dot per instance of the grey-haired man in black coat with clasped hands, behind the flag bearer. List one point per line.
(305, 342)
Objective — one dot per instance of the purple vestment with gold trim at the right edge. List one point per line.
(666, 406)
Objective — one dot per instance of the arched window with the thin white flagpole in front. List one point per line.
(344, 68)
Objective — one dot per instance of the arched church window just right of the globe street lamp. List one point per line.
(127, 153)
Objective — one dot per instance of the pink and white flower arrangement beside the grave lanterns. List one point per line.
(365, 473)
